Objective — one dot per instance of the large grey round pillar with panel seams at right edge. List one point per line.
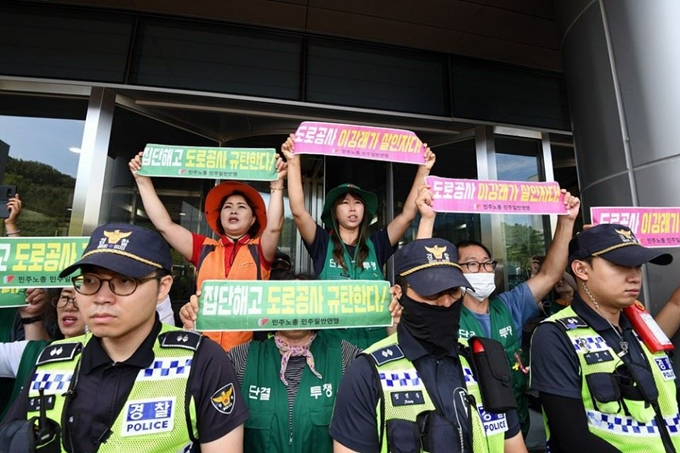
(622, 68)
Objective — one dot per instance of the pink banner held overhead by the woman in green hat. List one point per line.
(362, 142)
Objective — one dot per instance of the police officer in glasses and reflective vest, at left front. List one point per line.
(133, 384)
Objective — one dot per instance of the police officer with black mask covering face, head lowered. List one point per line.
(415, 390)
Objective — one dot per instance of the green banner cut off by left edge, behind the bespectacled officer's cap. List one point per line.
(35, 262)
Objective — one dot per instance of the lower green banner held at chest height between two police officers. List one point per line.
(293, 305)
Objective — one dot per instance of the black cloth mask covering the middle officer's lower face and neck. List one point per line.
(433, 325)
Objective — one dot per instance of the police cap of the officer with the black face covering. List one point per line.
(430, 266)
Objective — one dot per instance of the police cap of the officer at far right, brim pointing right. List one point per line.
(615, 243)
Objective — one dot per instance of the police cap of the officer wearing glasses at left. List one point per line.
(128, 250)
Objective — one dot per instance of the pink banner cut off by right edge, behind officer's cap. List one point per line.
(653, 227)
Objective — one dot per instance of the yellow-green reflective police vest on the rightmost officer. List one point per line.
(626, 424)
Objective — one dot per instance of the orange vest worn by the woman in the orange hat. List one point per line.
(246, 266)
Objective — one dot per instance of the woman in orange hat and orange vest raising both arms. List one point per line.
(248, 234)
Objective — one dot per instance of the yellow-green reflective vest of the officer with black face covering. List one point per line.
(398, 375)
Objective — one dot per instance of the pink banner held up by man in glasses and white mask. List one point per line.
(496, 197)
